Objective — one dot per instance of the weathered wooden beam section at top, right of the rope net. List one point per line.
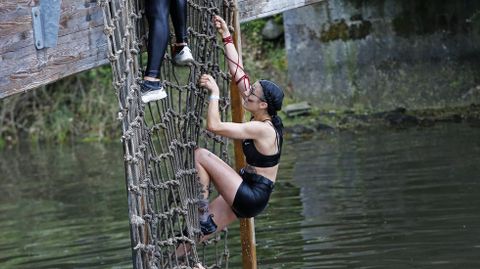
(254, 9)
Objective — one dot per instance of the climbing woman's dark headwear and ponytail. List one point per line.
(274, 98)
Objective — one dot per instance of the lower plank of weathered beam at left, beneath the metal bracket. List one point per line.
(76, 52)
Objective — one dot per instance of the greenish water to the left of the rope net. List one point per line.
(63, 207)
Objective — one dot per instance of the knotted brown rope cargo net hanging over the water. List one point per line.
(159, 138)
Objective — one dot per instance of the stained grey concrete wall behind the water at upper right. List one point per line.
(381, 54)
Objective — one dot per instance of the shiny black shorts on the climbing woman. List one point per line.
(252, 196)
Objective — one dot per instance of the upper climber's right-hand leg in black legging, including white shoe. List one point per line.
(181, 52)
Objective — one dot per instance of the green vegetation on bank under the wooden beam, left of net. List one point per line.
(81, 107)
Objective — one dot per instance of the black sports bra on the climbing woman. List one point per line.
(256, 158)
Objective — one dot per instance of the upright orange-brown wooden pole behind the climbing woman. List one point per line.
(247, 226)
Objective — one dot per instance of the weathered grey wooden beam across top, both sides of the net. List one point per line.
(81, 42)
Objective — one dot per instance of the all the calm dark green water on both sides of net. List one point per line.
(390, 199)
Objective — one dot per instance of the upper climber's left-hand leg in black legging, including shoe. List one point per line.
(158, 34)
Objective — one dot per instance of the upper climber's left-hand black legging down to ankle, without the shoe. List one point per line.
(158, 35)
